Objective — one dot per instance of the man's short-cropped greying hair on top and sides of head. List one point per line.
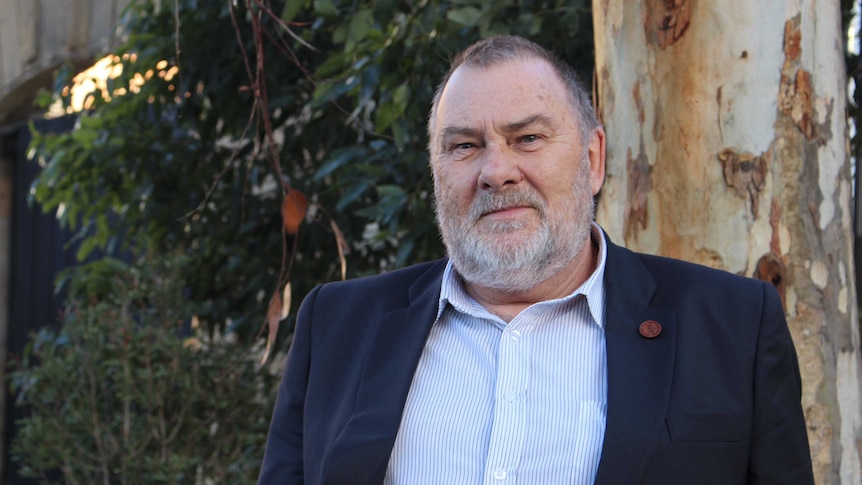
(496, 50)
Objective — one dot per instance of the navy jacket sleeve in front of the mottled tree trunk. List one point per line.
(779, 440)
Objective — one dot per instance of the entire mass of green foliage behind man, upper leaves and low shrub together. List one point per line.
(185, 158)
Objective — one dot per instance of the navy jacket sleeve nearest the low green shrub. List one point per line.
(283, 457)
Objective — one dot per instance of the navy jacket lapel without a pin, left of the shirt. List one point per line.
(361, 453)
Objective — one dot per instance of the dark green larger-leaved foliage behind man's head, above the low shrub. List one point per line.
(182, 164)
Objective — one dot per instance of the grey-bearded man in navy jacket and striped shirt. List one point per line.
(539, 352)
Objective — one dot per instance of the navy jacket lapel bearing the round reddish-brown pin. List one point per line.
(639, 369)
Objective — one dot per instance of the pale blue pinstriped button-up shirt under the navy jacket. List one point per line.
(494, 403)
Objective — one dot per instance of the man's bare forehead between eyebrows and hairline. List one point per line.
(503, 92)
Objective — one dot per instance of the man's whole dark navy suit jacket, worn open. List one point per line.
(713, 399)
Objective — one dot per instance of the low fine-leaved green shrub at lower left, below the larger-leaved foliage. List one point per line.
(126, 392)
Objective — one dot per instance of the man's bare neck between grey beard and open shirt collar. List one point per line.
(507, 305)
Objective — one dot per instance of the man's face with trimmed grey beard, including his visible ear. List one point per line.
(513, 182)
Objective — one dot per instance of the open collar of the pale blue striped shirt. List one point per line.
(452, 290)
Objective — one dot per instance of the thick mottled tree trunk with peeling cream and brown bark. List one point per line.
(727, 146)
